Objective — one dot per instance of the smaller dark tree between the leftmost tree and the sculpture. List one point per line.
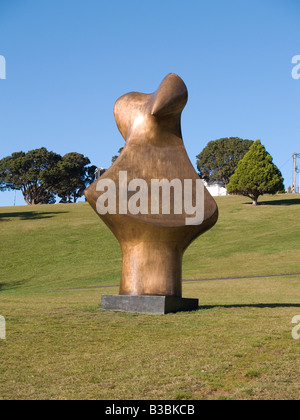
(73, 175)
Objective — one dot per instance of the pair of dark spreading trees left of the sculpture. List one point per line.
(40, 175)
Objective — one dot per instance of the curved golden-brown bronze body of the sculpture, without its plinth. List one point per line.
(153, 244)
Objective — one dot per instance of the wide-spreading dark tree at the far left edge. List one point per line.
(30, 172)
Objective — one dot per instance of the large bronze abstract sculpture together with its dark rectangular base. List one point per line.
(152, 200)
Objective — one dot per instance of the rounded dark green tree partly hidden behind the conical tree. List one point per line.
(219, 159)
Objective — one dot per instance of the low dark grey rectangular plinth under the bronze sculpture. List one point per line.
(144, 304)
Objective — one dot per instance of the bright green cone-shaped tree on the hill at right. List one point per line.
(256, 174)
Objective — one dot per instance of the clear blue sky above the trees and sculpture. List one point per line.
(68, 61)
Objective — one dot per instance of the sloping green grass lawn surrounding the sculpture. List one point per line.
(238, 345)
